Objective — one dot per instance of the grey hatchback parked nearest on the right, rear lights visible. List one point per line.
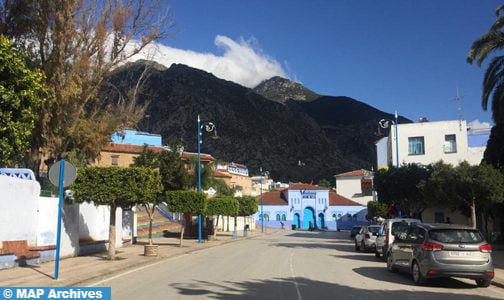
(442, 250)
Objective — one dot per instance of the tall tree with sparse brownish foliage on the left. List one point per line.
(78, 45)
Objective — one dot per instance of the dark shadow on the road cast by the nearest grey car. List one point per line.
(382, 274)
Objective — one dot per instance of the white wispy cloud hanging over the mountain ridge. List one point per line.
(242, 62)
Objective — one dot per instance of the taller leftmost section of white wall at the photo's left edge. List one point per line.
(18, 209)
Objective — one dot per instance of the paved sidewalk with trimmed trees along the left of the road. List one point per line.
(81, 270)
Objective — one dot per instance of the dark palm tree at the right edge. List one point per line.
(491, 44)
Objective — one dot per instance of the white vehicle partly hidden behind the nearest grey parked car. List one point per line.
(390, 228)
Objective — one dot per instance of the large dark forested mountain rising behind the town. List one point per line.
(295, 140)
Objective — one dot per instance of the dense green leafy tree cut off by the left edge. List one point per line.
(22, 93)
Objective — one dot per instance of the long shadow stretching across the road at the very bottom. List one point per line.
(285, 288)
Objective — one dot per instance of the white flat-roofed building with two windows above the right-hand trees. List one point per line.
(429, 142)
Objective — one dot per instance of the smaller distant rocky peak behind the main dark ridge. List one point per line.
(281, 89)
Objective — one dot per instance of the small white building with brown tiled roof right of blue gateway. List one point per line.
(355, 185)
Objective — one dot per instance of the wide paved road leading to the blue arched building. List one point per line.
(284, 265)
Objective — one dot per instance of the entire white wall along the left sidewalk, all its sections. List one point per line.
(33, 218)
